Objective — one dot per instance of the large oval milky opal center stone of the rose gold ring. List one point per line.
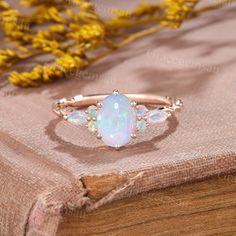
(116, 120)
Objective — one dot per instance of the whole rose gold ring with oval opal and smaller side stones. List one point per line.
(116, 118)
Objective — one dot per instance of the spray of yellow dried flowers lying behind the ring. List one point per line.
(69, 34)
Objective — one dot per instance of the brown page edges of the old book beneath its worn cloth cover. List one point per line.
(207, 207)
